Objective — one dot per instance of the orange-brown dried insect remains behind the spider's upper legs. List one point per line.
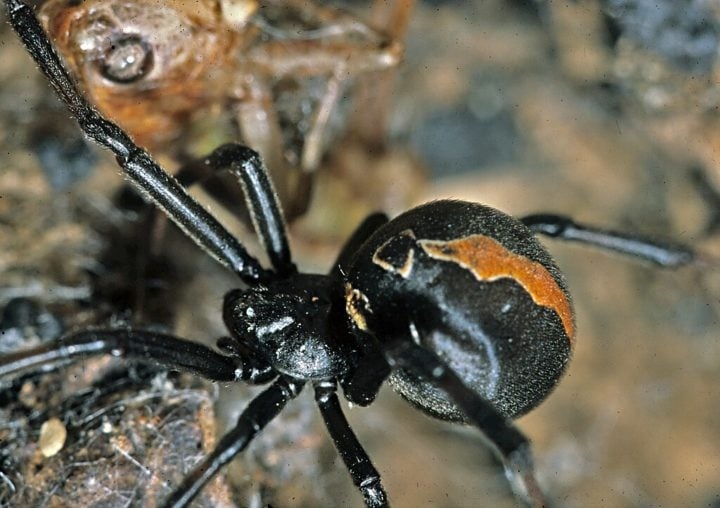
(159, 68)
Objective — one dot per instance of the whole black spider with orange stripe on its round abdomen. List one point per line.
(455, 304)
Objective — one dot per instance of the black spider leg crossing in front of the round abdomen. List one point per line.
(513, 447)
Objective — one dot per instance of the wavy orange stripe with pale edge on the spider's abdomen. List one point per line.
(488, 260)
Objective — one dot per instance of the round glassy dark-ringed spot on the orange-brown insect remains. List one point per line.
(127, 59)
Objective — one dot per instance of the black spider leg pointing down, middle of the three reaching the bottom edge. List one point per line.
(364, 475)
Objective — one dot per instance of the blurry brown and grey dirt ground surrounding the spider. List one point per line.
(523, 106)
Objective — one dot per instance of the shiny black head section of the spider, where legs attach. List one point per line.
(289, 324)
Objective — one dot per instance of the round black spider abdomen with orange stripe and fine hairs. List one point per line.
(478, 290)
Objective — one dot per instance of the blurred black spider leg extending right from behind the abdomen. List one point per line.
(664, 254)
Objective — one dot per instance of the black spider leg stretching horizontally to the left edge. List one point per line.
(166, 350)
